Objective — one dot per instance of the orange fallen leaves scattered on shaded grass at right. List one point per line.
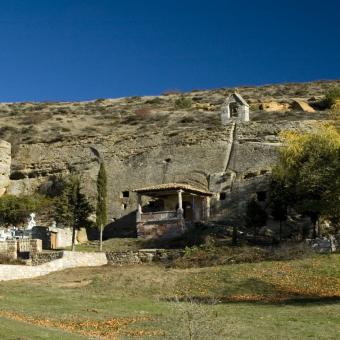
(272, 282)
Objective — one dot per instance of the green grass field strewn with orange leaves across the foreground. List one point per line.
(288, 300)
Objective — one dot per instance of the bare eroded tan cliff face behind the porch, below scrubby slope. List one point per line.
(233, 161)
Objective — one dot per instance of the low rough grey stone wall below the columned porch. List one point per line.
(143, 256)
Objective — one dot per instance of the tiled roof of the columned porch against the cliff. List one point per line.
(167, 188)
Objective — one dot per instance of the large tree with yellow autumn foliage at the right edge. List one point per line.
(309, 171)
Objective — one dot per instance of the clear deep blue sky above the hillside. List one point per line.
(87, 49)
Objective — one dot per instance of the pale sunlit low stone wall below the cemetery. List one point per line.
(70, 259)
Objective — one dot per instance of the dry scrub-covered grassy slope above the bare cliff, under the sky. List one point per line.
(51, 121)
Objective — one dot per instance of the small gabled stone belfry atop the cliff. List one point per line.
(234, 108)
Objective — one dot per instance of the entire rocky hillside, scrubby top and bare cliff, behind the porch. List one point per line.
(152, 140)
